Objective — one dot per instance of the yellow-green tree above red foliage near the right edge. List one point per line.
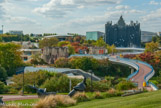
(151, 47)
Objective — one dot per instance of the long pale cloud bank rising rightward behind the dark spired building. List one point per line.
(95, 22)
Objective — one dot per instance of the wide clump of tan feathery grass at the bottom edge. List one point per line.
(55, 101)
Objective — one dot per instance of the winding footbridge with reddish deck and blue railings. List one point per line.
(141, 72)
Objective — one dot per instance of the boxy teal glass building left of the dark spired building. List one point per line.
(94, 35)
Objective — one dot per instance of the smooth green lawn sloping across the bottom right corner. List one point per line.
(144, 100)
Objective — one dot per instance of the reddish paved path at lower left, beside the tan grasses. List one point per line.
(17, 97)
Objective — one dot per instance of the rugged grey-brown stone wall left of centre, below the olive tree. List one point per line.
(50, 54)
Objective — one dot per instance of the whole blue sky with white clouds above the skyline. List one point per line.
(77, 16)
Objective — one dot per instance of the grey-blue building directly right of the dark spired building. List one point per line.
(147, 36)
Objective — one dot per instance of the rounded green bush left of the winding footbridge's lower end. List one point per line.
(125, 85)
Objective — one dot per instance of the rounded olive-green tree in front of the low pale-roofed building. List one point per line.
(48, 42)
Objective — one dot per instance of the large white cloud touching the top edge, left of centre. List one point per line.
(60, 8)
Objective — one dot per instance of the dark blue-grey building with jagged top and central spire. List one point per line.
(123, 35)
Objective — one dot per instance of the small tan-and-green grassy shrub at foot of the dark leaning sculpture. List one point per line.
(81, 97)
